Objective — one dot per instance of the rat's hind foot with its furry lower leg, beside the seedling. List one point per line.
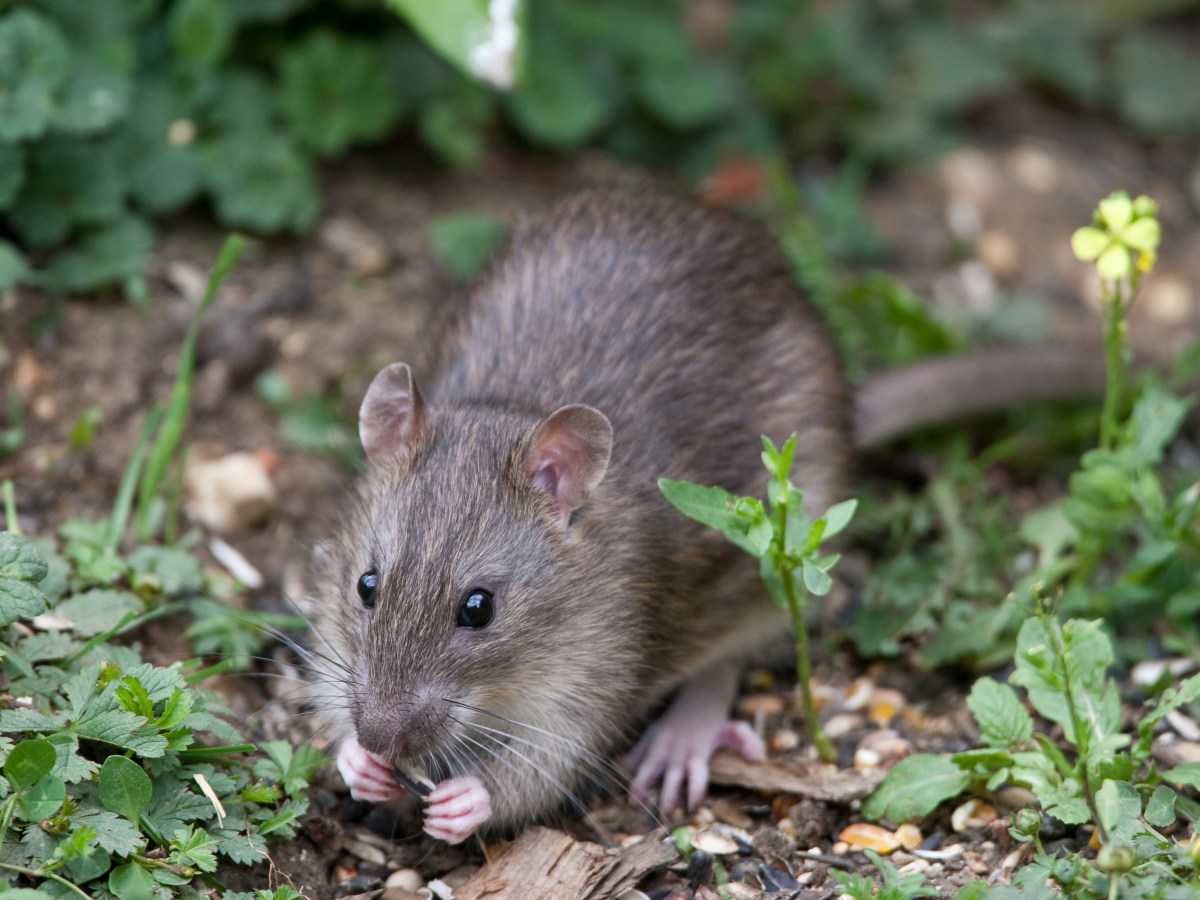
(680, 745)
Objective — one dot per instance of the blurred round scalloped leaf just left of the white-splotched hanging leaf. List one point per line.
(335, 91)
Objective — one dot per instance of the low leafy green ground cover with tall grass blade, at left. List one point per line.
(107, 788)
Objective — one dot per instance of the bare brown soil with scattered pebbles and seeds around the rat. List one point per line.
(982, 232)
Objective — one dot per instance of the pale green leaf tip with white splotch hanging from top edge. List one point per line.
(481, 38)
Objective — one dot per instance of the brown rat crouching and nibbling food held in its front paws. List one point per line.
(512, 597)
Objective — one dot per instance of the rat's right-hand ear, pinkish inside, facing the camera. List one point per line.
(569, 455)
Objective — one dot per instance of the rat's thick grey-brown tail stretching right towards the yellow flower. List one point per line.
(949, 388)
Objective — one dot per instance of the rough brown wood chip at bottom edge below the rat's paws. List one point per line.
(544, 865)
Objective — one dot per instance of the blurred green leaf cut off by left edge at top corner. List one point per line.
(34, 64)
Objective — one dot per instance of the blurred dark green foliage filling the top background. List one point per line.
(116, 112)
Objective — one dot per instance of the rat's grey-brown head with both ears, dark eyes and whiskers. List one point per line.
(472, 614)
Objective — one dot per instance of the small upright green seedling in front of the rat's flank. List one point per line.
(781, 536)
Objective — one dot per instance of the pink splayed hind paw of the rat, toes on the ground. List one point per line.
(675, 749)
